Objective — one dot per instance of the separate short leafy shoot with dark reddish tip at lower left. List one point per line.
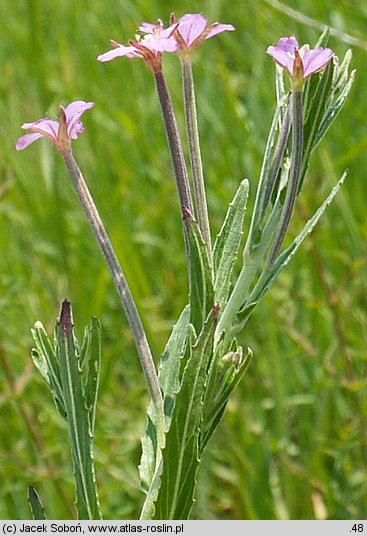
(72, 375)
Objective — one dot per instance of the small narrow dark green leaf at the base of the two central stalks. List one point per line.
(201, 277)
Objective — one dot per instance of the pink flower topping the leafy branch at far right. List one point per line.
(310, 60)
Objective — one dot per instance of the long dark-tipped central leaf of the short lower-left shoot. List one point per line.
(78, 418)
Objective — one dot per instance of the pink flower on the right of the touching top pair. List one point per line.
(193, 28)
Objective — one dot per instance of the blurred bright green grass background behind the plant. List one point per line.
(293, 443)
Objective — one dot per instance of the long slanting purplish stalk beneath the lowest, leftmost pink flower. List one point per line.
(122, 286)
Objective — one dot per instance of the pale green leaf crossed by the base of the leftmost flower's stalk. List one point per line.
(169, 379)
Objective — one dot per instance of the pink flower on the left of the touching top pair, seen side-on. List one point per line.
(150, 46)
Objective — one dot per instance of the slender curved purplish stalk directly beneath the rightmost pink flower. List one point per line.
(294, 175)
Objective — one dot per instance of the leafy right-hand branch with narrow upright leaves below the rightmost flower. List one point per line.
(281, 180)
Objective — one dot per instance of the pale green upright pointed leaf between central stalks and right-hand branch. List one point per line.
(227, 244)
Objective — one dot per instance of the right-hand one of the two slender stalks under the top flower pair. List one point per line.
(195, 154)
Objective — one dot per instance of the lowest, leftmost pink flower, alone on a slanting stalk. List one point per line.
(59, 132)
